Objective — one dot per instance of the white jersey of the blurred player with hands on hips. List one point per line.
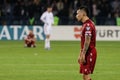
(47, 18)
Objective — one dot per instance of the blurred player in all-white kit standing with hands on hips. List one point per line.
(48, 20)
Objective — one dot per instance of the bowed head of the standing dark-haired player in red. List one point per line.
(82, 12)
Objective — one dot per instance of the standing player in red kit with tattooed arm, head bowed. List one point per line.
(88, 53)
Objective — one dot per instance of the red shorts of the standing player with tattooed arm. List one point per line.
(88, 67)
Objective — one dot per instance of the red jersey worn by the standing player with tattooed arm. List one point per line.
(88, 28)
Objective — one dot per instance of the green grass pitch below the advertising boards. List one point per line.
(60, 63)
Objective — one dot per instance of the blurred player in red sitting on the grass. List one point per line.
(30, 40)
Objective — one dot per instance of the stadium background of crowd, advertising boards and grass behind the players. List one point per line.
(60, 63)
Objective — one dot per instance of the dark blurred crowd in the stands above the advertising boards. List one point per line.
(103, 12)
